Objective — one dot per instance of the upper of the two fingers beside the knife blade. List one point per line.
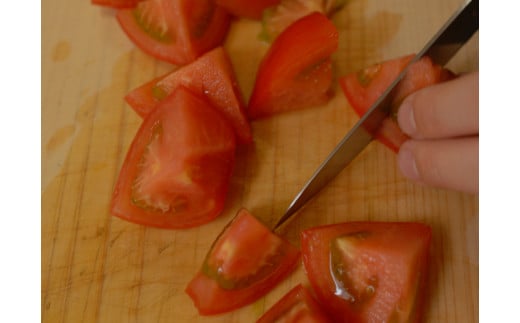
(443, 110)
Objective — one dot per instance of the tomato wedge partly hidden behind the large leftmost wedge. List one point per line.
(211, 76)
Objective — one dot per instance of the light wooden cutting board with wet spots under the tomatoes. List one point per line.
(98, 268)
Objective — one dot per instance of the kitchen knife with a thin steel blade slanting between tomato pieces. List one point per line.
(457, 30)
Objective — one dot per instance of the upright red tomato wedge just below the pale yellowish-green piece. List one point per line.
(296, 72)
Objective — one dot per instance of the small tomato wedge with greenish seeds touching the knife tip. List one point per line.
(246, 261)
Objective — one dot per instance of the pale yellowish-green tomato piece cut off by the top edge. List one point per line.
(277, 18)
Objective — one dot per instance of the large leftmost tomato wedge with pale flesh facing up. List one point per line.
(177, 171)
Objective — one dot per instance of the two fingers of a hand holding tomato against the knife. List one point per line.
(442, 121)
